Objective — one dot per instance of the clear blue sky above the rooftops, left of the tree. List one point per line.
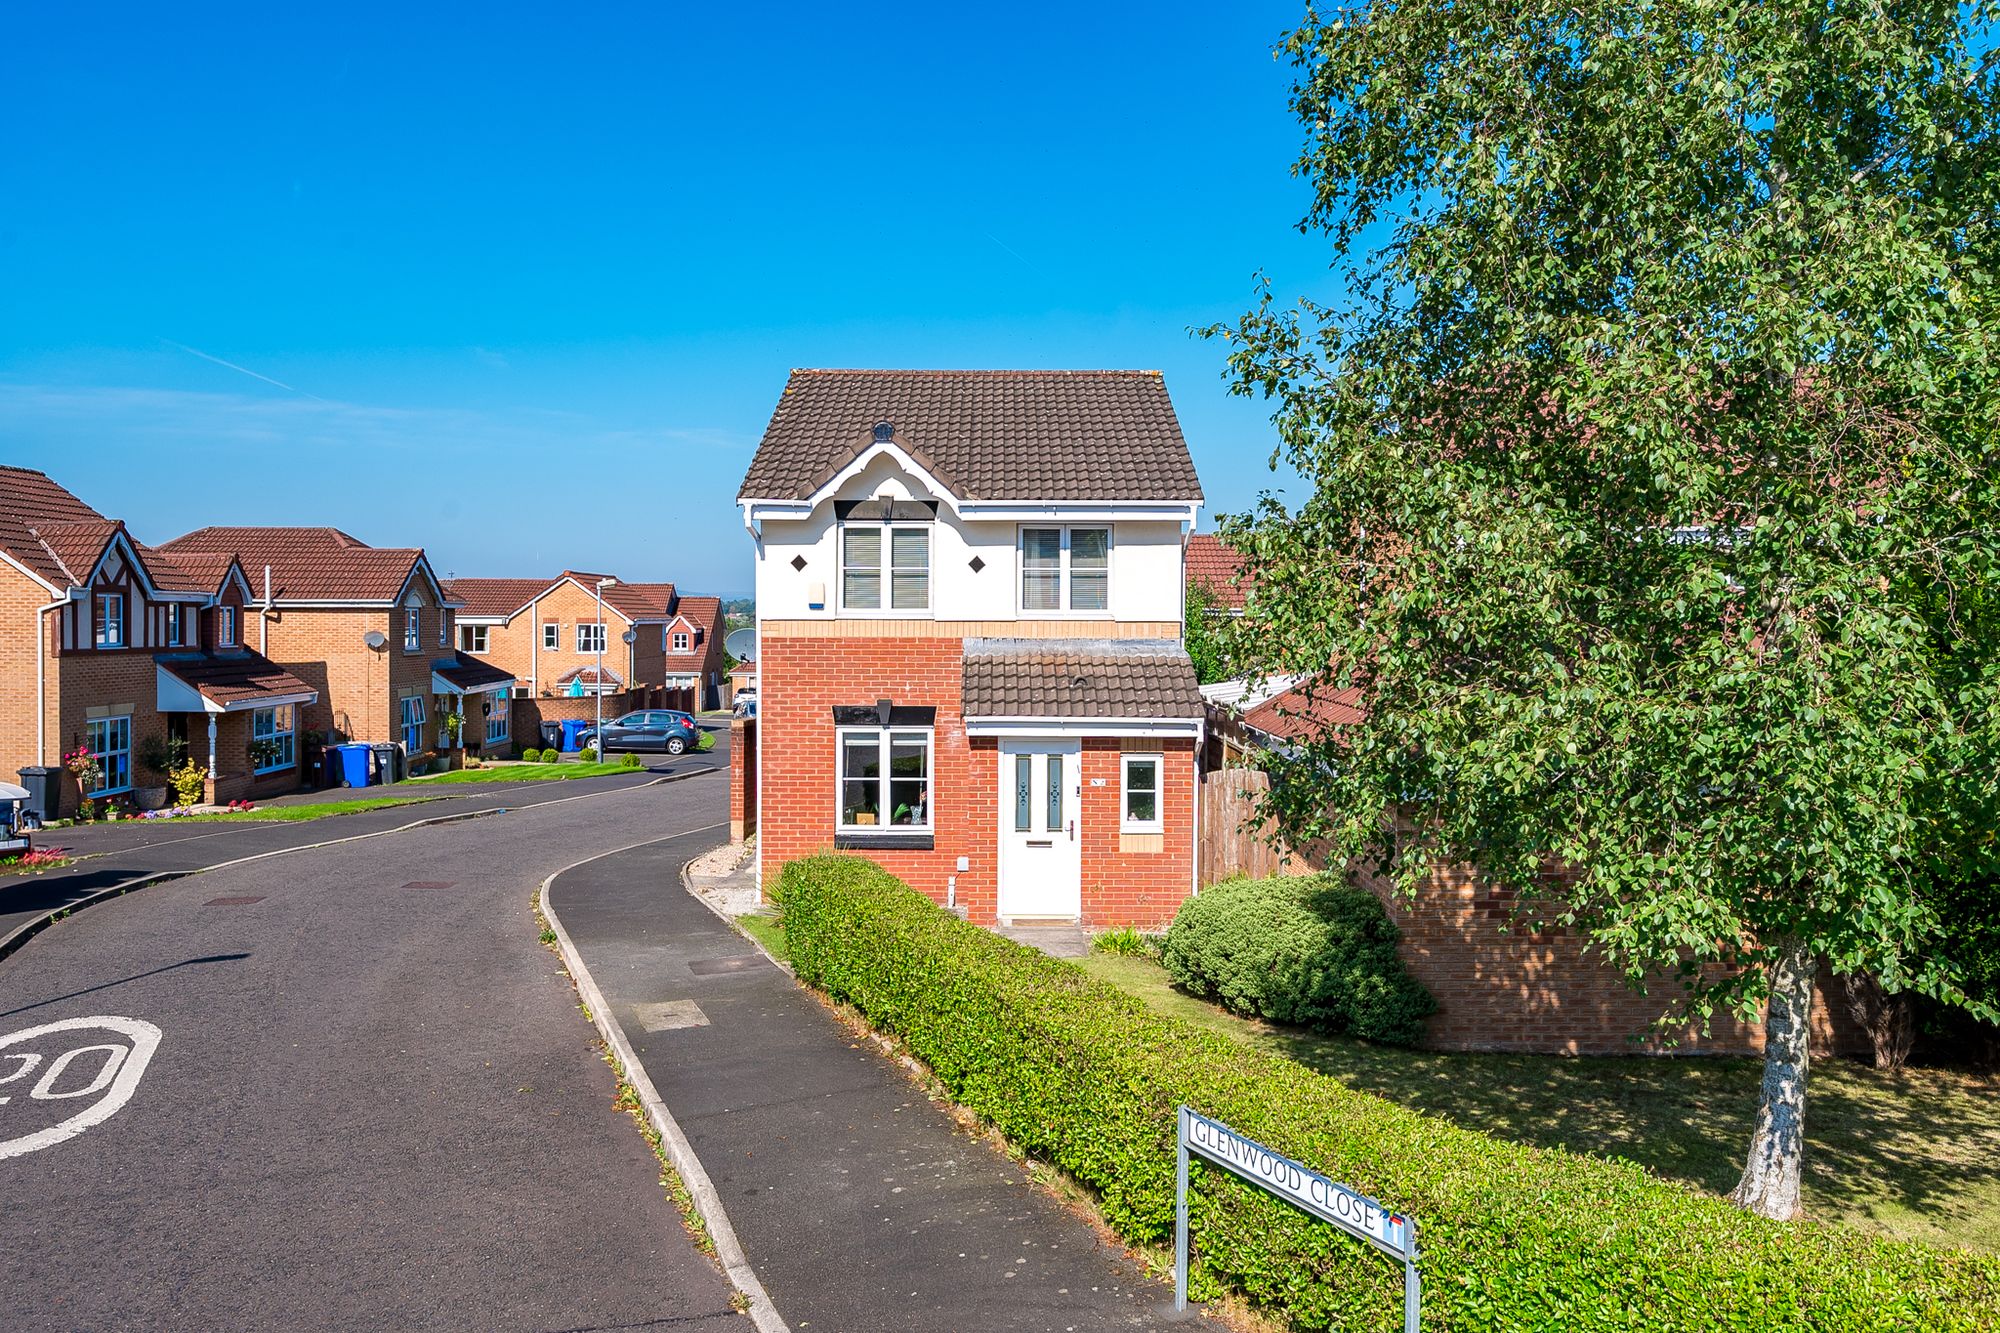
(485, 273)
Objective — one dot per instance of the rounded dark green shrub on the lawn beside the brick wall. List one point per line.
(1299, 950)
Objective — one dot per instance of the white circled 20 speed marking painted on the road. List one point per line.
(71, 1068)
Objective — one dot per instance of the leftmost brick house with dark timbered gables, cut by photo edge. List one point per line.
(125, 651)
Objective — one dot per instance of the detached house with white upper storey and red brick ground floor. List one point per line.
(971, 659)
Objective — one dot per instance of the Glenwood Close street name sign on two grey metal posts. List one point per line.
(1299, 1186)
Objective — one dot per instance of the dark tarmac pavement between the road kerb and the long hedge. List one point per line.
(859, 1202)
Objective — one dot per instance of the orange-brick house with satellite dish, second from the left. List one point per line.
(371, 631)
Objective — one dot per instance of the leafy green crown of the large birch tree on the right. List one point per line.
(1655, 463)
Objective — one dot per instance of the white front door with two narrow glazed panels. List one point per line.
(1041, 844)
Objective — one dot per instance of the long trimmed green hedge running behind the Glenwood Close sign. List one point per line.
(1513, 1238)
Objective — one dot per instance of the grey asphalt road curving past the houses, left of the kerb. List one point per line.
(373, 1102)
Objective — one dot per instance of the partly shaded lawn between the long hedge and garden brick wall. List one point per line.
(1911, 1154)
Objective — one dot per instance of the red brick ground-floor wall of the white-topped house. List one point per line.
(805, 680)
